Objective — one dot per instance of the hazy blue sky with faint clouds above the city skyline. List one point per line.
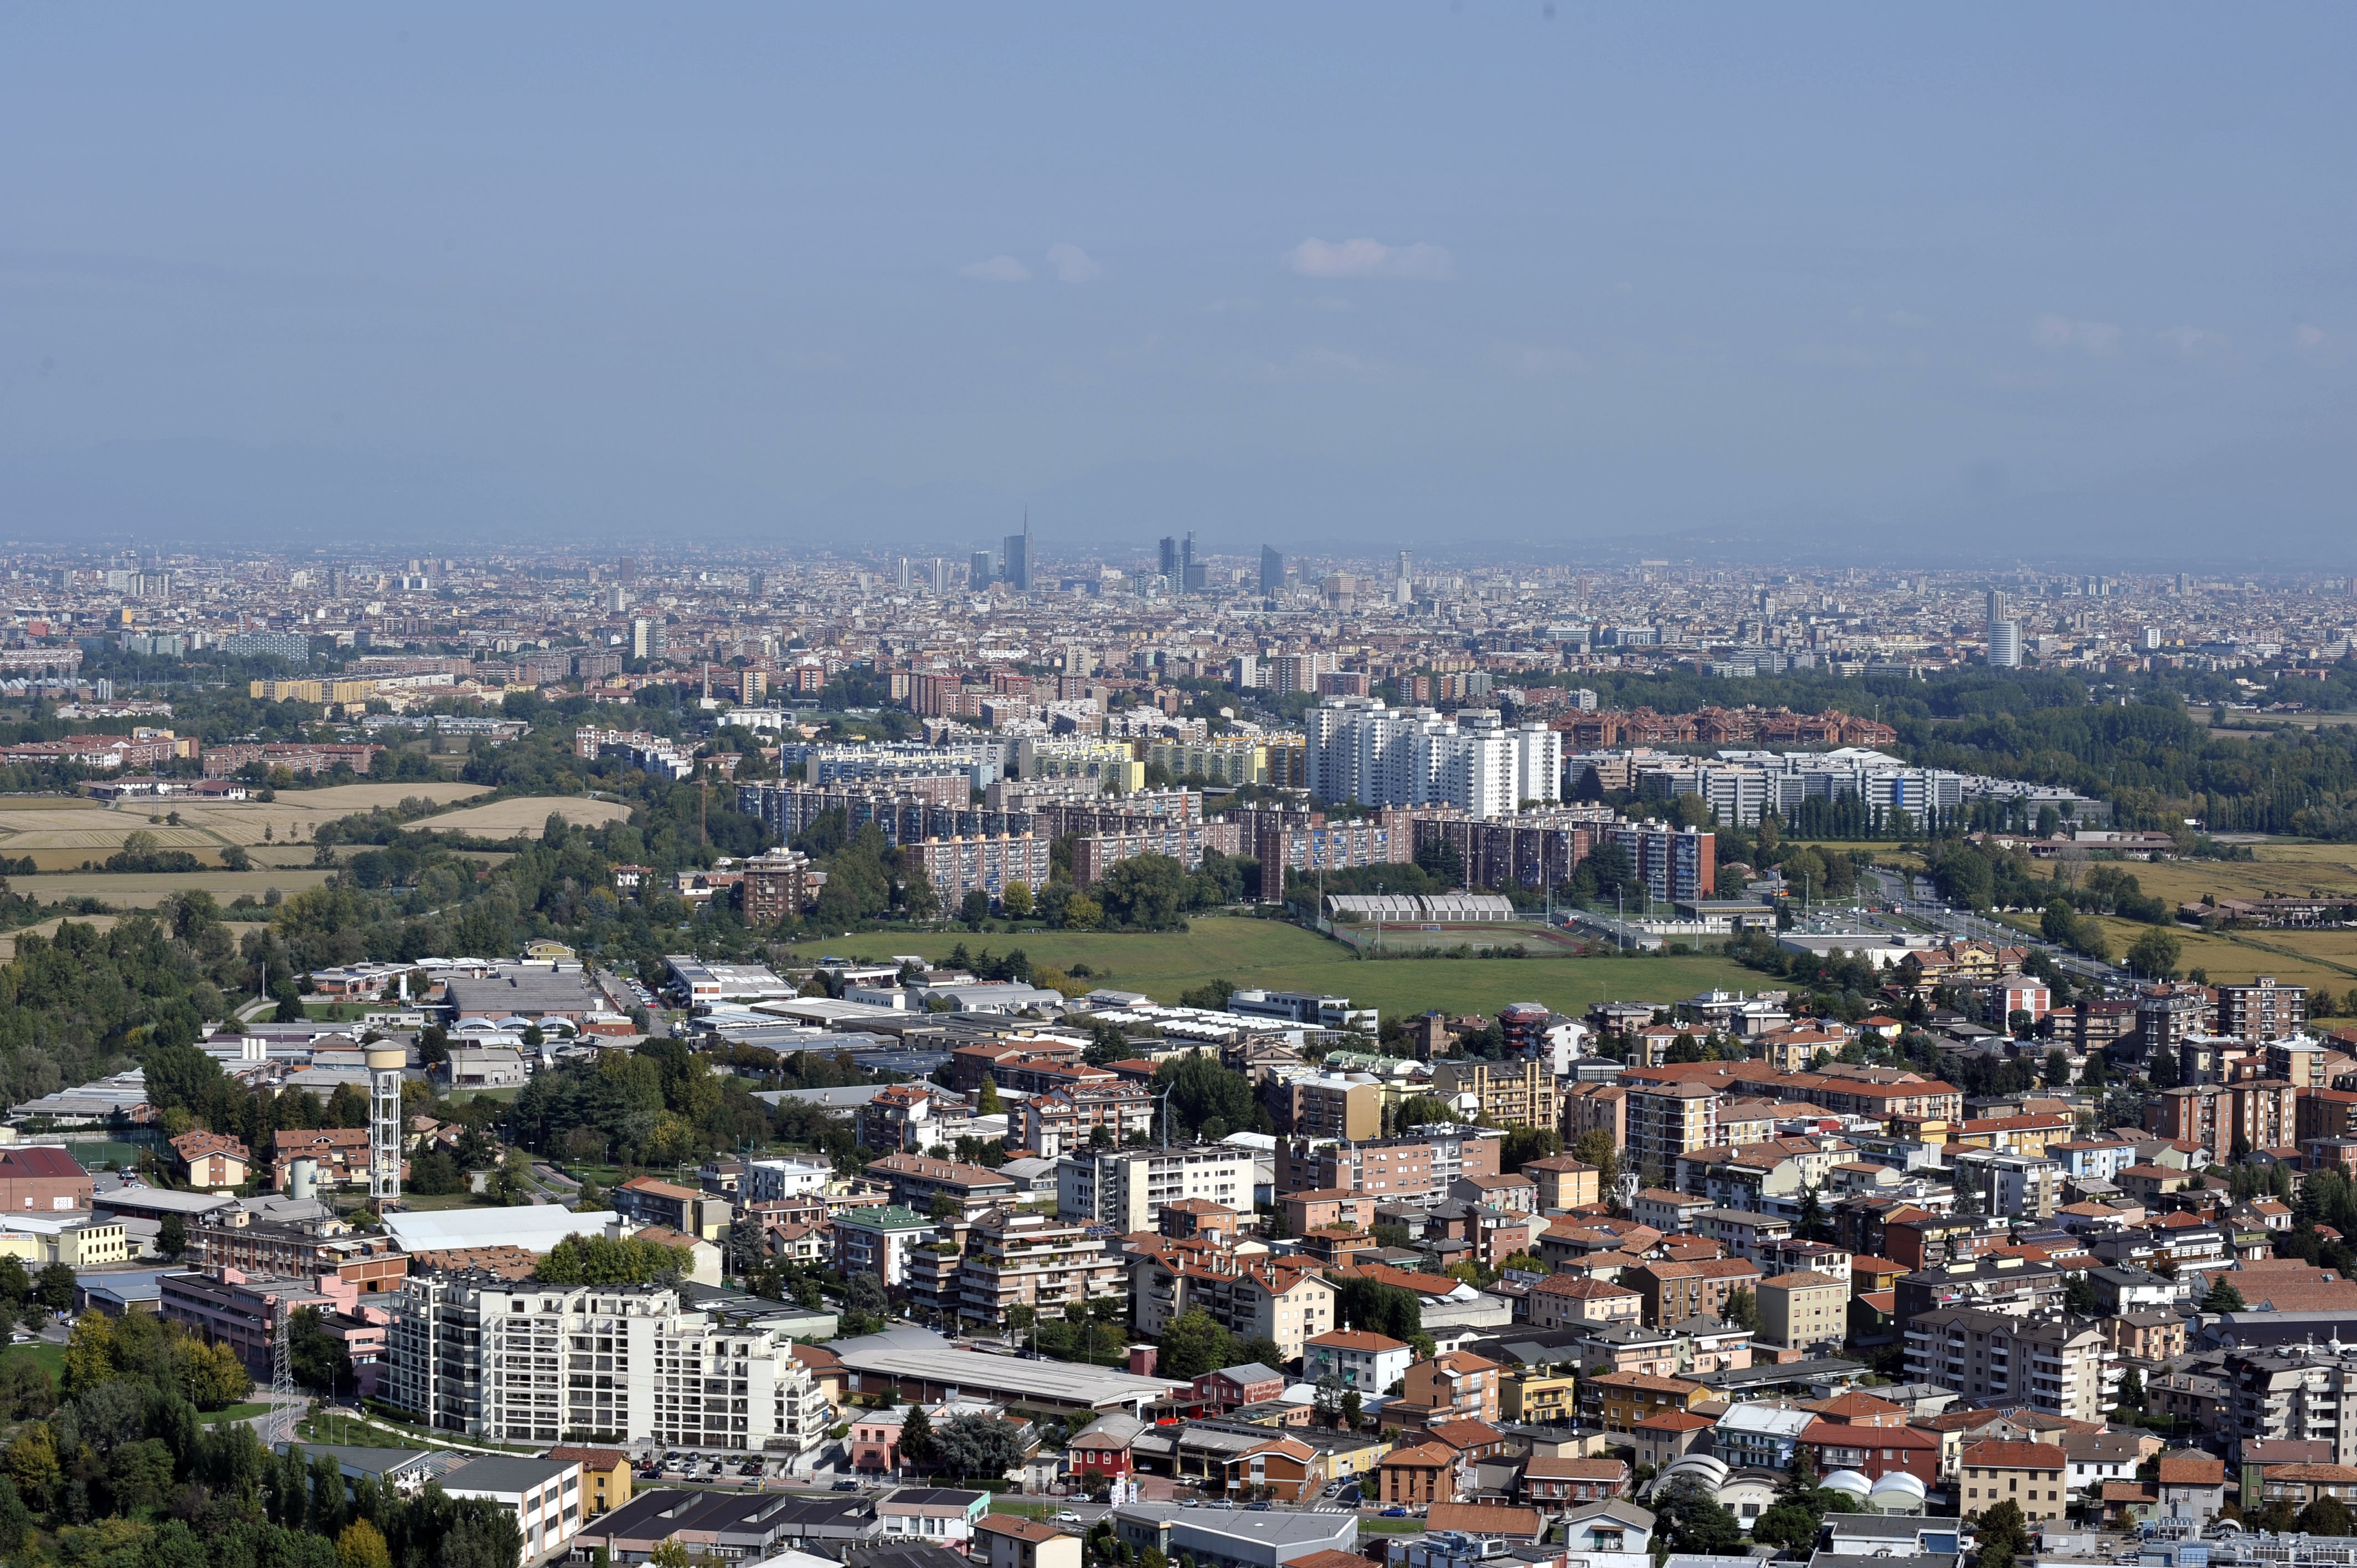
(1969, 279)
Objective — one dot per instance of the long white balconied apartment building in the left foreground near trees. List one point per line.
(595, 1364)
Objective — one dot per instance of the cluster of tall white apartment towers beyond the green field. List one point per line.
(1380, 756)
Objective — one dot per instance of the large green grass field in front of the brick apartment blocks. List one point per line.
(1288, 958)
